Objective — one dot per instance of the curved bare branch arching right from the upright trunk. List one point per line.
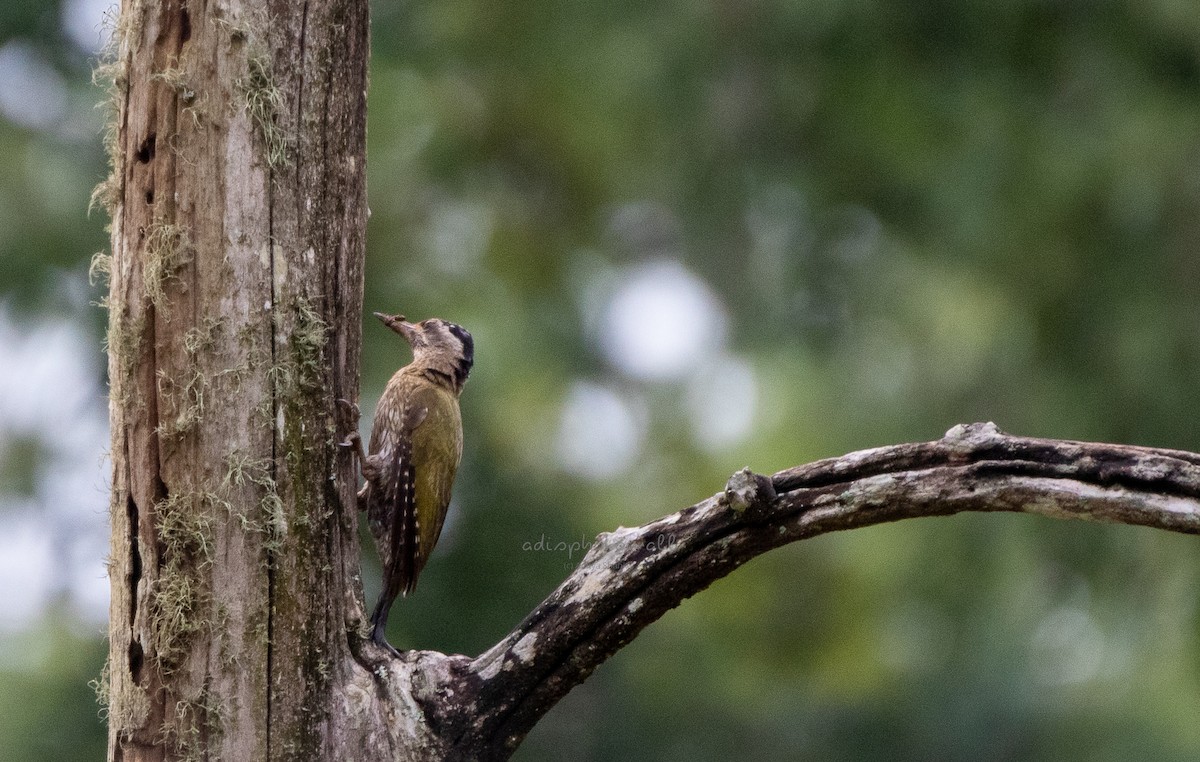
(631, 578)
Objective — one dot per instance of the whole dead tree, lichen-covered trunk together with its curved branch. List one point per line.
(237, 627)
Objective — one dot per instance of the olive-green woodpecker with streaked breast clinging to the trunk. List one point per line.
(415, 454)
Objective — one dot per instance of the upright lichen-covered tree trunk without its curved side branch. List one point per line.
(239, 209)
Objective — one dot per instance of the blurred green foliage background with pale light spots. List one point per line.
(692, 237)
